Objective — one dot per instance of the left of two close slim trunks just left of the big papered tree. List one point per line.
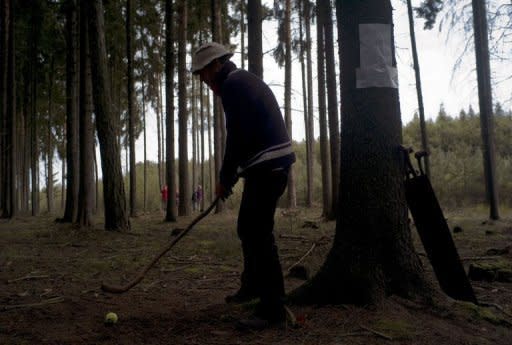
(322, 117)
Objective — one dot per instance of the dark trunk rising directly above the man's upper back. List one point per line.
(254, 42)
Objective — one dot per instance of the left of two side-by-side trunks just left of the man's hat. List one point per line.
(169, 109)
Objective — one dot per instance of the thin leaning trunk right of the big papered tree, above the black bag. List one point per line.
(421, 110)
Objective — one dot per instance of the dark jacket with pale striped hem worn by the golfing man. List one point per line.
(257, 140)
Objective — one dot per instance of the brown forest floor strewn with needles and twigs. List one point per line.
(50, 278)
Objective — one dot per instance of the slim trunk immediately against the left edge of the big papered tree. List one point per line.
(332, 105)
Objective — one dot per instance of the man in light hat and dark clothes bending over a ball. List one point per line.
(259, 150)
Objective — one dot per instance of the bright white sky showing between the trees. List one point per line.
(438, 53)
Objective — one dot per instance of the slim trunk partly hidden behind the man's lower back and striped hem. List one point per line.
(292, 195)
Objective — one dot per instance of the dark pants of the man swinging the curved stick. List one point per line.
(262, 274)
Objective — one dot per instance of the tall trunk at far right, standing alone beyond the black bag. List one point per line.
(483, 70)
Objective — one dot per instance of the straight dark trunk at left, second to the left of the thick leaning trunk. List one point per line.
(72, 153)
